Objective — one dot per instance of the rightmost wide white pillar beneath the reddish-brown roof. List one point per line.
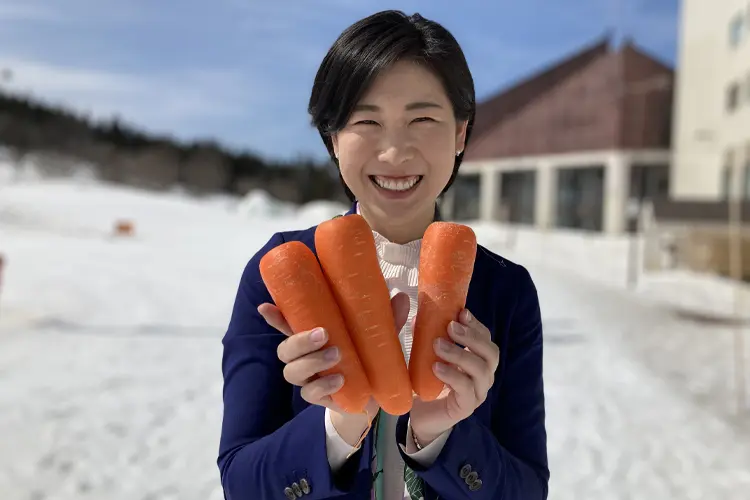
(616, 192)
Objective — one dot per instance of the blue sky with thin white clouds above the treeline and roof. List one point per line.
(240, 71)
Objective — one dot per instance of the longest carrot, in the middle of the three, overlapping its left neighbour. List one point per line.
(346, 249)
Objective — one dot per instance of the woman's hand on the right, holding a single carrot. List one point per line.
(468, 375)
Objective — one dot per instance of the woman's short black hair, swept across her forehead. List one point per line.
(373, 44)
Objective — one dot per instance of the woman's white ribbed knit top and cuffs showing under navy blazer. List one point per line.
(400, 267)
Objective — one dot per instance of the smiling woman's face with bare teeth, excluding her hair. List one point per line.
(397, 151)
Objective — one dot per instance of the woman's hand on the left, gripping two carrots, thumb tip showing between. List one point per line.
(304, 359)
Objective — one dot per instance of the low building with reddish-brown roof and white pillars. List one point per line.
(572, 145)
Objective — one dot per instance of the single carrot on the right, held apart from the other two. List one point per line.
(446, 263)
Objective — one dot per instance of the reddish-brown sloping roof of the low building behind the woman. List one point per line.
(494, 134)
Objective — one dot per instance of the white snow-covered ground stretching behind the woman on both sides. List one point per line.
(110, 357)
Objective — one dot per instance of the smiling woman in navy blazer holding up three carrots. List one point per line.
(394, 103)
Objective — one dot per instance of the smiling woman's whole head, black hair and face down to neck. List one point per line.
(397, 119)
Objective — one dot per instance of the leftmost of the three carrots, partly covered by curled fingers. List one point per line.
(300, 290)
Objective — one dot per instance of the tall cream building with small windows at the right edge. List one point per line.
(712, 98)
